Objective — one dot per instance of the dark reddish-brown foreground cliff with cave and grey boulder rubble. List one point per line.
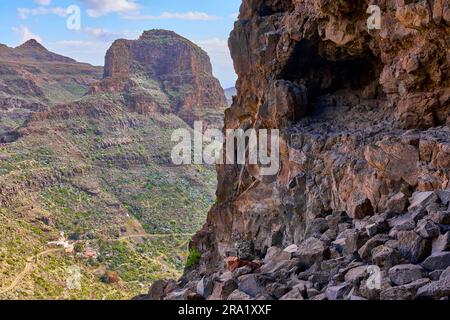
(365, 157)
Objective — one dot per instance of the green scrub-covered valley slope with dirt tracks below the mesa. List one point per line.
(99, 170)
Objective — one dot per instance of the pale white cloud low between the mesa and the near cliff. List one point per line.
(219, 54)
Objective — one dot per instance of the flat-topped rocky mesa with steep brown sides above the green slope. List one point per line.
(163, 72)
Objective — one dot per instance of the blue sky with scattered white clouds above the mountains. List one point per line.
(205, 22)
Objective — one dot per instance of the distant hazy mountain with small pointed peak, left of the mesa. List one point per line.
(34, 79)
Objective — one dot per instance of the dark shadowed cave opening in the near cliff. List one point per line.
(328, 72)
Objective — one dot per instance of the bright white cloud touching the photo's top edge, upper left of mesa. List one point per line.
(98, 8)
